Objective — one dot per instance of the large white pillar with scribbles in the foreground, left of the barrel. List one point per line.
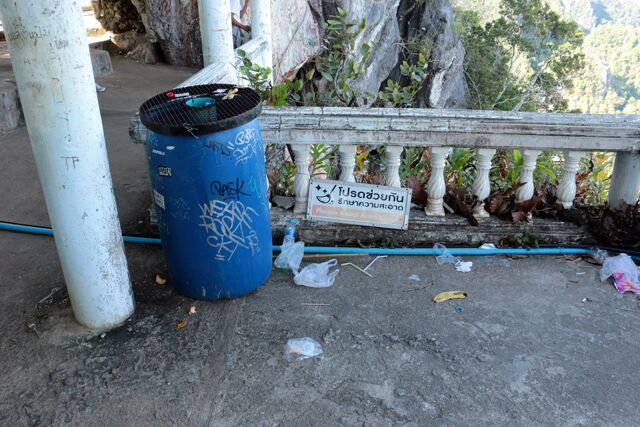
(50, 58)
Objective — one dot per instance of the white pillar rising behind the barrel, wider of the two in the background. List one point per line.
(216, 34)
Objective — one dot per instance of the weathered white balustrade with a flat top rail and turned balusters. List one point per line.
(484, 131)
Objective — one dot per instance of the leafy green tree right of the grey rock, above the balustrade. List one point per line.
(523, 59)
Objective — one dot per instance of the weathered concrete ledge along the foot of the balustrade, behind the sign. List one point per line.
(424, 231)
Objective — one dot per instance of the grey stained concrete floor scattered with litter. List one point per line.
(525, 351)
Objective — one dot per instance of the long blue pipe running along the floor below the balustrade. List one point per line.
(329, 250)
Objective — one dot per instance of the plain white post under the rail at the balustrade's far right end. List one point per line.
(625, 181)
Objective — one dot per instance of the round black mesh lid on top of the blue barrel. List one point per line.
(200, 110)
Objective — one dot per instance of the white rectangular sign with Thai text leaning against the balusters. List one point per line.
(362, 204)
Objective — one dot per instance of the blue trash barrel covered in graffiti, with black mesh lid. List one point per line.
(206, 163)
